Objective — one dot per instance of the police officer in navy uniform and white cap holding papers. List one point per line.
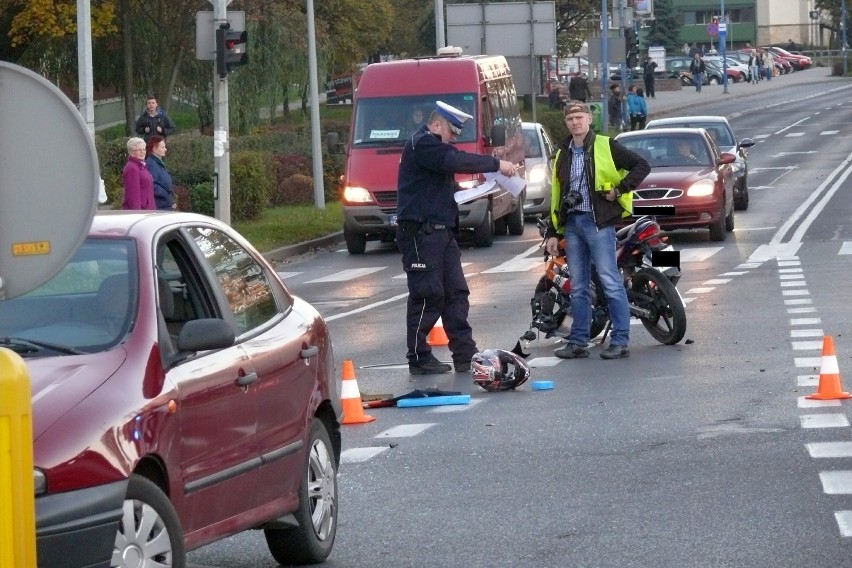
(427, 216)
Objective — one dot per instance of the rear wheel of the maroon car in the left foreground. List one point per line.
(311, 541)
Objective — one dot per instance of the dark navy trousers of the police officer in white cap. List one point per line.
(436, 289)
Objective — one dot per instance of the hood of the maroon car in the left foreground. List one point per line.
(60, 383)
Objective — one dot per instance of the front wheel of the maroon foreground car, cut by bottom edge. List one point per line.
(148, 508)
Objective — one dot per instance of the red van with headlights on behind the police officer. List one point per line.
(392, 100)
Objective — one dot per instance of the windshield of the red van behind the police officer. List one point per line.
(390, 121)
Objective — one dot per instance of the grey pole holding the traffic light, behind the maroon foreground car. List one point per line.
(221, 150)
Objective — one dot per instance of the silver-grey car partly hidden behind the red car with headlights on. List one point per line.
(723, 135)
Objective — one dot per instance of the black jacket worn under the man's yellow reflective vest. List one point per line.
(605, 212)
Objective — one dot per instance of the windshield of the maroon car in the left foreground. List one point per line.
(87, 307)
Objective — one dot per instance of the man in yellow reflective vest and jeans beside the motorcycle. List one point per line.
(593, 177)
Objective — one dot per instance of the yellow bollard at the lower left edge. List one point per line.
(17, 501)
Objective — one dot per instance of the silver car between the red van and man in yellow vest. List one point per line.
(539, 152)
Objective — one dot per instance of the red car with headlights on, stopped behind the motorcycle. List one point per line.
(689, 177)
